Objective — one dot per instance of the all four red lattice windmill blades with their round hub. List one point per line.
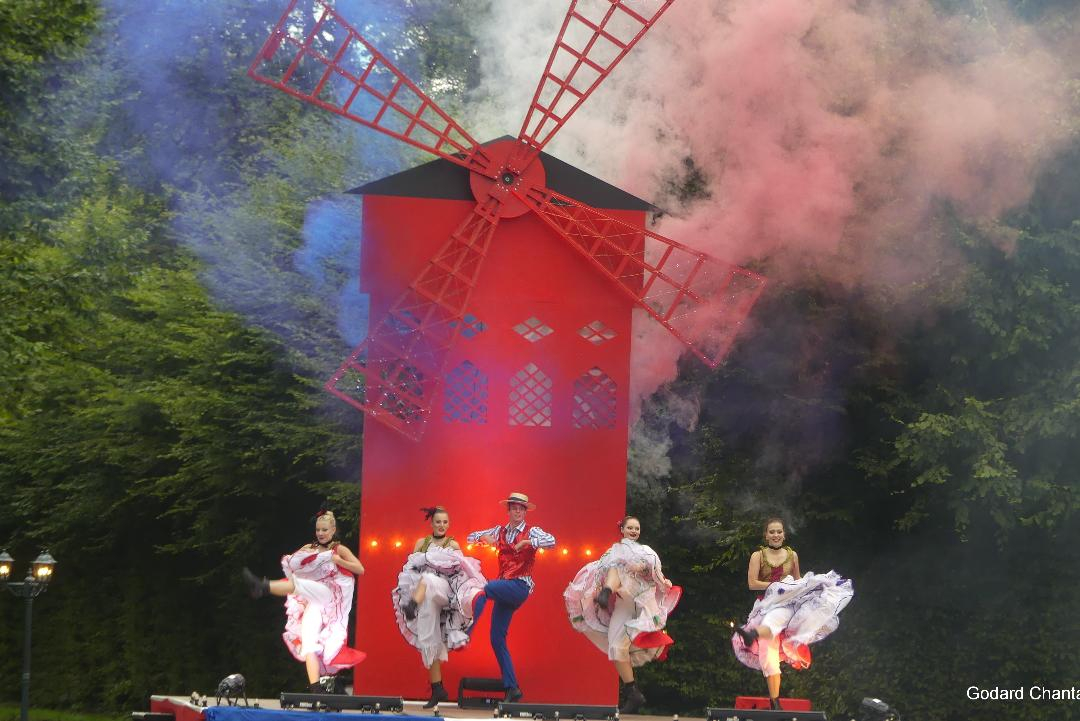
(396, 374)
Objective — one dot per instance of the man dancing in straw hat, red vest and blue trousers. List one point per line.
(518, 546)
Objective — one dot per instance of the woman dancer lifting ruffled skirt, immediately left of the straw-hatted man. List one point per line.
(434, 601)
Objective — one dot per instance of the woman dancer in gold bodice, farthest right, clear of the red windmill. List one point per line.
(794, 613)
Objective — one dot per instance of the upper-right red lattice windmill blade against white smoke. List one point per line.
(595, 37)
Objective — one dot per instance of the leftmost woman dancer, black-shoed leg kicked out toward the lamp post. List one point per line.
(319, 589)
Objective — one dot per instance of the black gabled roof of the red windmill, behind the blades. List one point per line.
(447, 181)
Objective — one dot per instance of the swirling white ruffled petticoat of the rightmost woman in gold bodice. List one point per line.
(814, 605)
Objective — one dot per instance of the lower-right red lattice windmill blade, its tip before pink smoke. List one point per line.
(701, 301)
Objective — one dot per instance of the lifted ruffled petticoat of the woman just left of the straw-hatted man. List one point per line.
(453, 582)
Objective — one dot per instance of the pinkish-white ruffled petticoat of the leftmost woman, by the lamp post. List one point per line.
(327, 590)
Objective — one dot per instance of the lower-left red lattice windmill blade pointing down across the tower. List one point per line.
(397, 373)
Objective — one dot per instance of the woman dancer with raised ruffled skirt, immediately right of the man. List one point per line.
(622, 603)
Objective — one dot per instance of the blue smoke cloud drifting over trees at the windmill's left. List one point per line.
(183, 65)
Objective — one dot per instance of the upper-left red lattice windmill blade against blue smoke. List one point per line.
(318, 58)
